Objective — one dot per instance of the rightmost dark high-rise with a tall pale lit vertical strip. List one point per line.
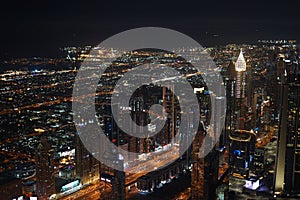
(287, 170)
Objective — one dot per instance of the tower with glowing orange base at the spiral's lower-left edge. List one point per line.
(87, 167)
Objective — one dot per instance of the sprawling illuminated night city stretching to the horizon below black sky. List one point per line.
(245, 155)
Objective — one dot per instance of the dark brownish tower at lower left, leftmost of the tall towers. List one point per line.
(44, 170)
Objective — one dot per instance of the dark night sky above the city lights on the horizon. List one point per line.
(39, 28)
